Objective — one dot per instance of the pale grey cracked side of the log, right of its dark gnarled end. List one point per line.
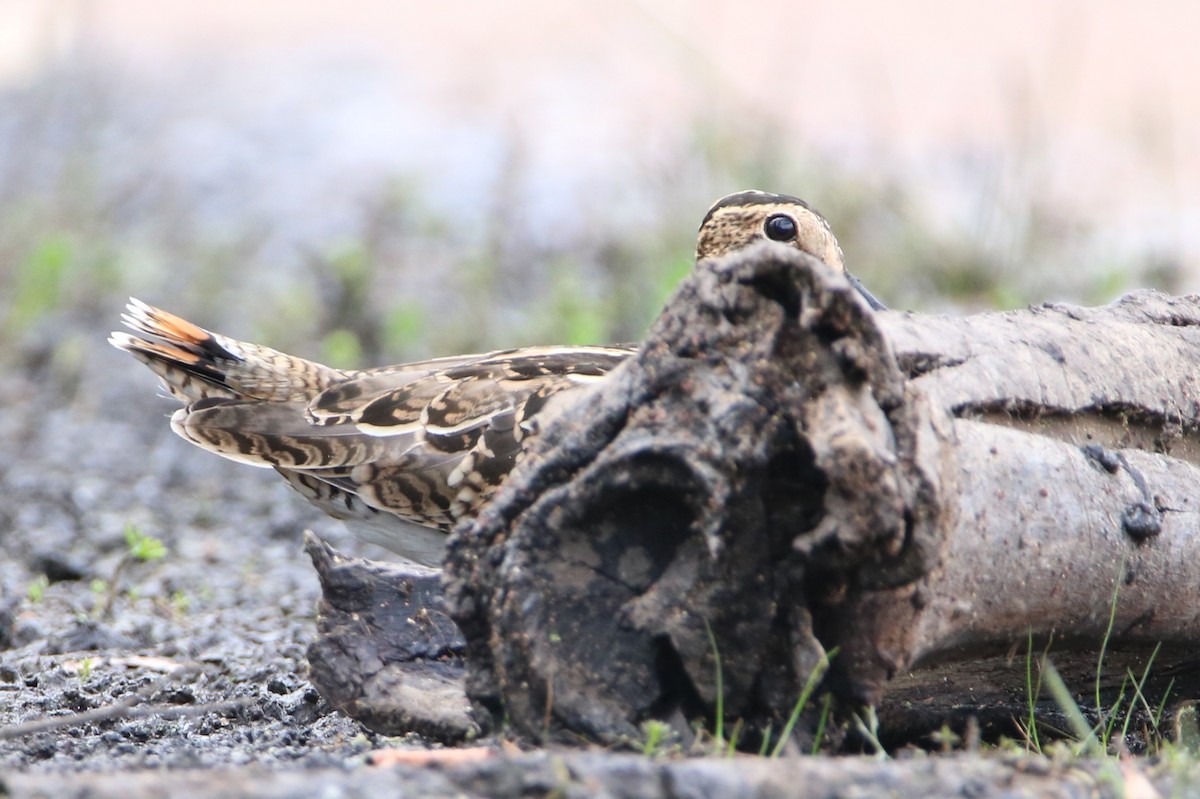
(1075, 438)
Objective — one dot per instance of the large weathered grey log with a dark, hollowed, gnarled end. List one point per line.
(781, 472)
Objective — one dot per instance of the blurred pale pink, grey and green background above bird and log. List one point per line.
(371, 182)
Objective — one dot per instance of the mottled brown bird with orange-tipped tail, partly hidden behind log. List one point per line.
(404, 453)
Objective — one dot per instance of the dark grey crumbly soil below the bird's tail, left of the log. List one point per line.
(225, 617)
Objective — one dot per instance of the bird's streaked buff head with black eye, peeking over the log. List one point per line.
(740, 220)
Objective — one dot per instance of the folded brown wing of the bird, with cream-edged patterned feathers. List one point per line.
(428, 450)
